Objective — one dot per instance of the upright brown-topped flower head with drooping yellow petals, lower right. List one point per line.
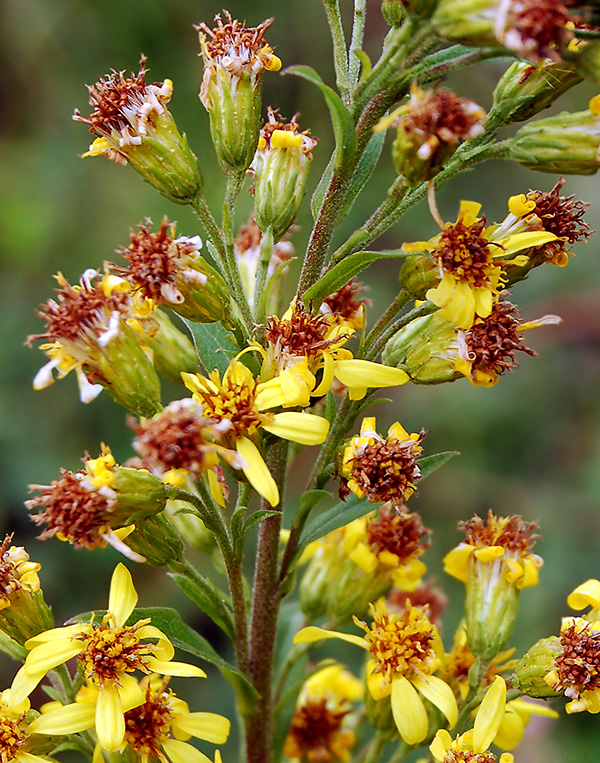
(495, 563)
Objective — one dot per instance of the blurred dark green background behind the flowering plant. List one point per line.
(531, 445)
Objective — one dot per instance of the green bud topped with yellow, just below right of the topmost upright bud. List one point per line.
(281, 168)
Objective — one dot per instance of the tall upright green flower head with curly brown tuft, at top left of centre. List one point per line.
(234, 60)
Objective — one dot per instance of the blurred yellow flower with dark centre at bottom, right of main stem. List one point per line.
(320, 731)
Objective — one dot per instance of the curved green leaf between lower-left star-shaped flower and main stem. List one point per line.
(180, 634)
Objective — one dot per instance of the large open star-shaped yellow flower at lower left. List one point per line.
(108, 654)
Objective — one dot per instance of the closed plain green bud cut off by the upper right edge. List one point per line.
(565, 144)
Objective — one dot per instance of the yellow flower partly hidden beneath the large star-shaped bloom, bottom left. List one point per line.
(156, 728)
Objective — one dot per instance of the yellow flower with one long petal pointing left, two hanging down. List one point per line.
(405, 652)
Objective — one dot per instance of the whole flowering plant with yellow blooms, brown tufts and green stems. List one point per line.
(261, 378)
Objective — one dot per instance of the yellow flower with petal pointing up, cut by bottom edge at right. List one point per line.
(472, 746)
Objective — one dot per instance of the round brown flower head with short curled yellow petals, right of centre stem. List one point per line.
(381, 468)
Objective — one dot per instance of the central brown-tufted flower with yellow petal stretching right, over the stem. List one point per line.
(302, 347)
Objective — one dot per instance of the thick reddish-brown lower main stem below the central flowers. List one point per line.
(266, 599)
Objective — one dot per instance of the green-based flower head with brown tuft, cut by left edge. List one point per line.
(23, 611)
